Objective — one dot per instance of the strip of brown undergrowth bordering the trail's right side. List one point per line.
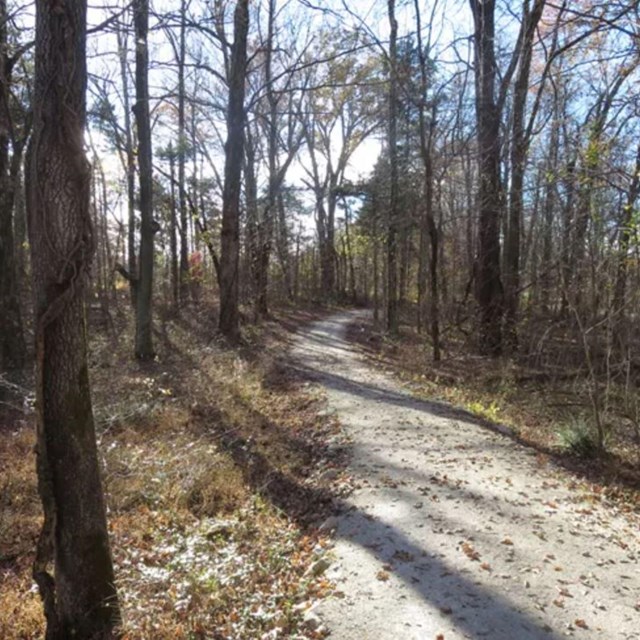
(545, 411)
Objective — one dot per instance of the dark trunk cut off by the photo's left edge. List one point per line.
(12, 344)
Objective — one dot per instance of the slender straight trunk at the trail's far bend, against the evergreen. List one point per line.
(392, 225)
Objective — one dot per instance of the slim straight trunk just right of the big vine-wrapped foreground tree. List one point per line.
(144, 342)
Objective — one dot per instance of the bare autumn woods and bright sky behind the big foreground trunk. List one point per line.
(470, 171)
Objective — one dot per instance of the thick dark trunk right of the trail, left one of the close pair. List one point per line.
(488, 281)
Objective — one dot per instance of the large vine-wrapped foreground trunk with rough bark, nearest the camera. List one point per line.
(79, 597)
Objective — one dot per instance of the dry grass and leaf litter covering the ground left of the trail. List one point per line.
(210, 462)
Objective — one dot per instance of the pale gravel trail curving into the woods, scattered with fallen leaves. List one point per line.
(456, 530)
